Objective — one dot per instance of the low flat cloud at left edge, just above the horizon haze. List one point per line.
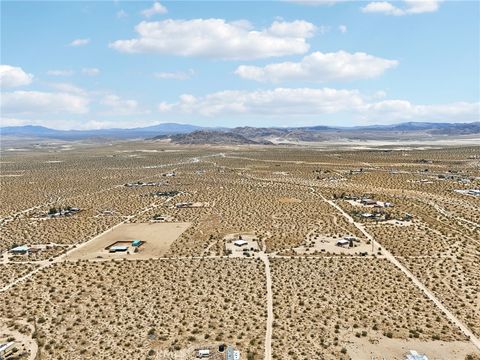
(27, 102)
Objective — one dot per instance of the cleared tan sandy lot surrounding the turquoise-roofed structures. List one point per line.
(157, 237)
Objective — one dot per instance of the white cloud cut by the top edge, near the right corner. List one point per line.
(410, 7)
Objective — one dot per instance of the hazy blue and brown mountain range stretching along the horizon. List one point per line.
(191, 134)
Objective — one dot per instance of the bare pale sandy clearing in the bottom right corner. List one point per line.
(393, 349)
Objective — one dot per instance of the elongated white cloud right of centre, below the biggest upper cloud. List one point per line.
(320, 67)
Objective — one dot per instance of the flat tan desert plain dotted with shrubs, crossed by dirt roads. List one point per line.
(349, 253)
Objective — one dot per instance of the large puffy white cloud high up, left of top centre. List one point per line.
(217, 38)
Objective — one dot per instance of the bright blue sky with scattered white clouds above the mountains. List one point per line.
(277, 63)
